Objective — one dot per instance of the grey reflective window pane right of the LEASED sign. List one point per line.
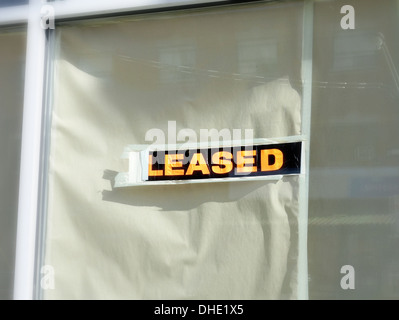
(354, 176)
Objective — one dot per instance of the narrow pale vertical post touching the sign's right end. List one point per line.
(306, 75)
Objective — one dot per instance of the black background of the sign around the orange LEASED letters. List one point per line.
(291, 162)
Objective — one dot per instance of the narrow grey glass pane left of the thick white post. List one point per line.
(12, 61)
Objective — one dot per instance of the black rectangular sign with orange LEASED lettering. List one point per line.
(225, 162)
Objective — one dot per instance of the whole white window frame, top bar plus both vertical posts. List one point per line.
(34, 113)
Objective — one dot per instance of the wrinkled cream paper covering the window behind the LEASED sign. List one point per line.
(116, 79)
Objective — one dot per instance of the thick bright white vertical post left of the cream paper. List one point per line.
(30, 156)
